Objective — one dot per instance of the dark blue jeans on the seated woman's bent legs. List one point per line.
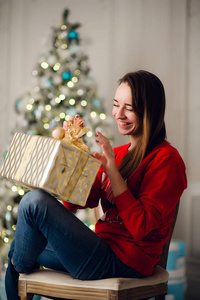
(48, 234)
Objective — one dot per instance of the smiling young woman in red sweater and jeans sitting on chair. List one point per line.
(138, 184)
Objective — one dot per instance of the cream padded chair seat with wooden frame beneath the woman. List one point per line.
(46, 282)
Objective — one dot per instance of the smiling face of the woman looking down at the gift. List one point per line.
(128, 122)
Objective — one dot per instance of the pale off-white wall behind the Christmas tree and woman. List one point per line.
(161, 36)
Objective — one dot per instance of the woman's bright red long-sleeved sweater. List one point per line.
(136, 223)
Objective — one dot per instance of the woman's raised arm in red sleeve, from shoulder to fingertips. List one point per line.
(161, 184)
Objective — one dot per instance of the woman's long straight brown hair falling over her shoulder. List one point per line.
(148, 102)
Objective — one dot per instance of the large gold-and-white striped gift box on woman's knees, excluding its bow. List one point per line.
(52, 165)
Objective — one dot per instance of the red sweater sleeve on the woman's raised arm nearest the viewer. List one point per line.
(163, 181)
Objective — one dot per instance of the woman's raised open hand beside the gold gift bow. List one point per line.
(107, 159)
